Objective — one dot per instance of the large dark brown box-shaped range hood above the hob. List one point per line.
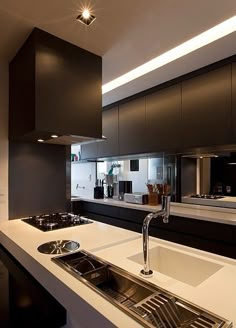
(55, 90)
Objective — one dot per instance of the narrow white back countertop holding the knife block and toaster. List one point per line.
(205, 213)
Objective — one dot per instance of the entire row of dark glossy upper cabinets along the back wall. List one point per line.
(197, 111)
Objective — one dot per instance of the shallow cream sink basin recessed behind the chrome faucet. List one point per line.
(183, 267)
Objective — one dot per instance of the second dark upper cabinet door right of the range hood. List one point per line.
(132, 132)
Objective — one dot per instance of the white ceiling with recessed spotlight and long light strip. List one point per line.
(126, 33)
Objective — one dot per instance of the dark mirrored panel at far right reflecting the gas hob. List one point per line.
(209, 179)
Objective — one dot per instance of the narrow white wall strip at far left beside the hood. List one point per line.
(3, 140)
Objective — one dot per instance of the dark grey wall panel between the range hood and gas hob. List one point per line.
(37, 179)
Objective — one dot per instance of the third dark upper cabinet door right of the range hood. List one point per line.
(163, 119)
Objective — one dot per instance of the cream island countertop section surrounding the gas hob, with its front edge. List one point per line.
(84, 306)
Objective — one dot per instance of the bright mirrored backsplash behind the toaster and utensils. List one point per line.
(154, 175)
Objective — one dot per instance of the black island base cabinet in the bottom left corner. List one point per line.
(23, 301)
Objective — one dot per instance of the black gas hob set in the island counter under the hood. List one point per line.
(49, 222)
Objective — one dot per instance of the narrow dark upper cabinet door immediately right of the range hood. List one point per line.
(110, 146)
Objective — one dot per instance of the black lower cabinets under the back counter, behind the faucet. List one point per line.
(208, 236)
